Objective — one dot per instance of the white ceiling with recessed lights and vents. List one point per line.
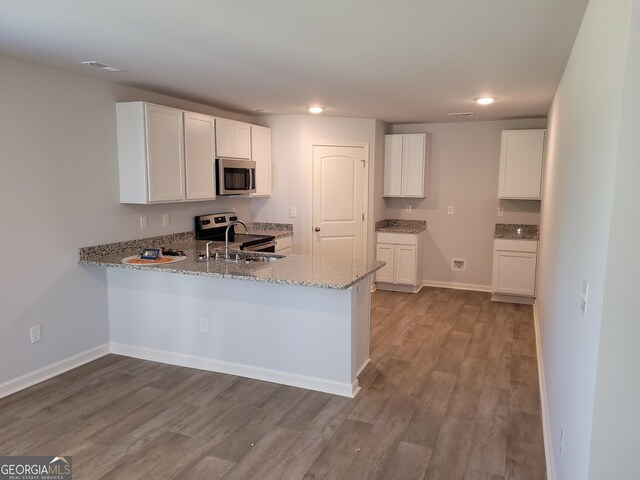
(401, 62)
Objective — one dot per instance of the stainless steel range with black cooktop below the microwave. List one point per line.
(212, 227)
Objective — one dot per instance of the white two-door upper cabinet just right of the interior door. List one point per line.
(404, 165)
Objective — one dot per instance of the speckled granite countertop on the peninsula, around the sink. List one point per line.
(303, 270)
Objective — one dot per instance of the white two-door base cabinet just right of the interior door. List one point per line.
(402, 253)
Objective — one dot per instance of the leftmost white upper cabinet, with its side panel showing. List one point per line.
(150, 153)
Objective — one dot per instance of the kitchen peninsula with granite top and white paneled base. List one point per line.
(298, 320)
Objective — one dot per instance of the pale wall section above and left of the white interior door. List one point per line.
(292, 137)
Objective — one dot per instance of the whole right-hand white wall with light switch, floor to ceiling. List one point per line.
(578, 201)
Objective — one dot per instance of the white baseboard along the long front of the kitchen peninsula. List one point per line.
(248, 371)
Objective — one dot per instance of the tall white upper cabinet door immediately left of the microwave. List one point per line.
(200, 151)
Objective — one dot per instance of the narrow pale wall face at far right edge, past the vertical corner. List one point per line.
(616, 421)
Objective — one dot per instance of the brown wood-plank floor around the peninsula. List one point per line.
(451, 393)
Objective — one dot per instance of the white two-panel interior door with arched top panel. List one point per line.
(338, 201)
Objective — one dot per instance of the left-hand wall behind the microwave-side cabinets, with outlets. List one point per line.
(58, 192)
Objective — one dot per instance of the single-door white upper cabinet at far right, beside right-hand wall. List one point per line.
(521, 156)
